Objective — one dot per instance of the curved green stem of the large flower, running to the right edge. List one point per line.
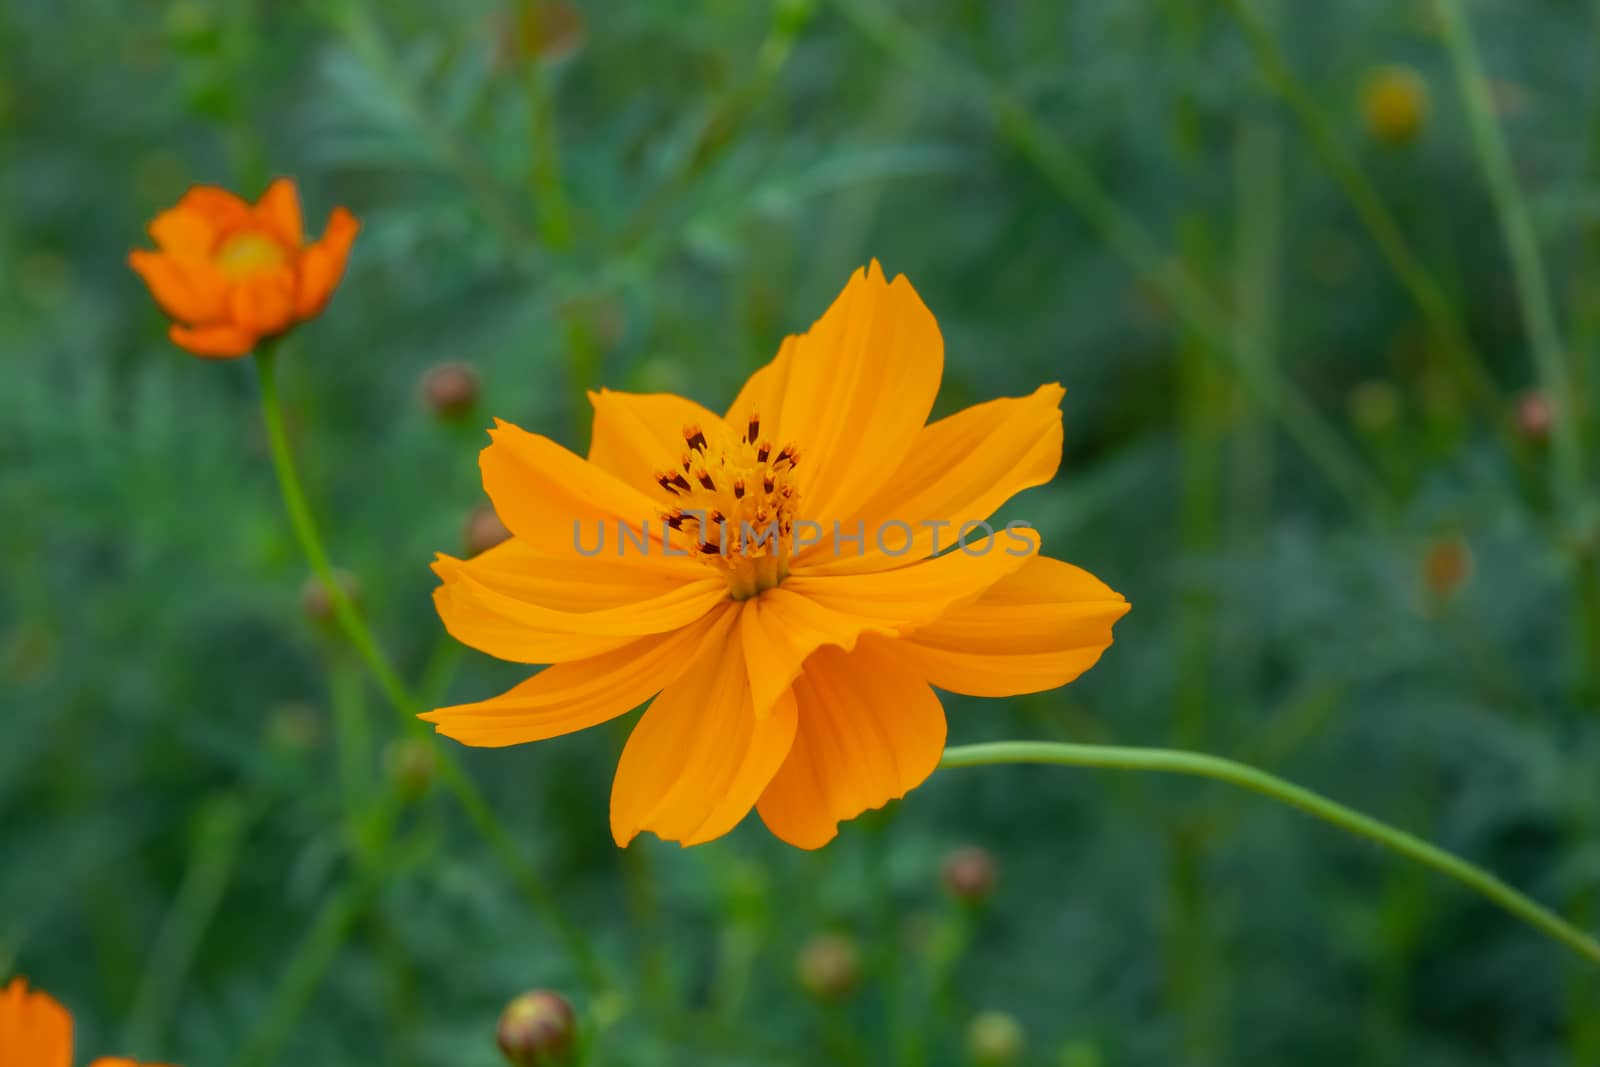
(1177, 762)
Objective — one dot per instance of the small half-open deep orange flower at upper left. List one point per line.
(231, 274)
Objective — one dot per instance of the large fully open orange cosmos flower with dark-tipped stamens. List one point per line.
(790, 674)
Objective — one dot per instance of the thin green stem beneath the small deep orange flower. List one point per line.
(361, 637)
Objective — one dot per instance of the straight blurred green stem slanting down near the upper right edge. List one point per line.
(1534, 289)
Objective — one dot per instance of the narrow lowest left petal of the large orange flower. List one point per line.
(582, 693)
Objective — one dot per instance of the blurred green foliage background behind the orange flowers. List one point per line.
(650, 202)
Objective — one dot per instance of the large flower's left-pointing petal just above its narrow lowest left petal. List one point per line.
(548, 612)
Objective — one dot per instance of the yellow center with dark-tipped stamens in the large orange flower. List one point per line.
(735, 500)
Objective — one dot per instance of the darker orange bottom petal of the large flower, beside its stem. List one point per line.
(870, 730)
